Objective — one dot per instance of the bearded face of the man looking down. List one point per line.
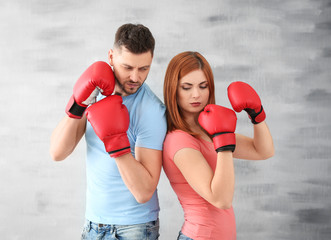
(130, 69)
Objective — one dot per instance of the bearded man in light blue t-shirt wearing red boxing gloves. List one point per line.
(124, 142)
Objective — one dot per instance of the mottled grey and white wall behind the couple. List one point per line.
(282, 48)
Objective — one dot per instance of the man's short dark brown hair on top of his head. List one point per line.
(135, 37)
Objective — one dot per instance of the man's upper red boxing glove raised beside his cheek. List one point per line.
(98, 77)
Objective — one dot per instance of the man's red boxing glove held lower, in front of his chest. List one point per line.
(110, 121)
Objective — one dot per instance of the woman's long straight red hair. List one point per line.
(178, 67)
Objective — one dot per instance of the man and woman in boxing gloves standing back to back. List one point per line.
(129, 134)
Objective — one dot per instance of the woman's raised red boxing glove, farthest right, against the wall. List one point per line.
(243, 97)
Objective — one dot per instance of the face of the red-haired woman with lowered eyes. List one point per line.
(193, 92)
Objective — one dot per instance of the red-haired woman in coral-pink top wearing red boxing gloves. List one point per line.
(200, 145)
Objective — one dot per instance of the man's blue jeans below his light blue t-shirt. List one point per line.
(93, 231)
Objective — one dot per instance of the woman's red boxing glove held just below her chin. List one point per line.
(220, 122)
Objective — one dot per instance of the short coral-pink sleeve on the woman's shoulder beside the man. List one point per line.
(178, 140)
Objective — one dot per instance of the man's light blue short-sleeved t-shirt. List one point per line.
(108, 200)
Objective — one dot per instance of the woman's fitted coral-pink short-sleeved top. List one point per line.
(202, 220)
